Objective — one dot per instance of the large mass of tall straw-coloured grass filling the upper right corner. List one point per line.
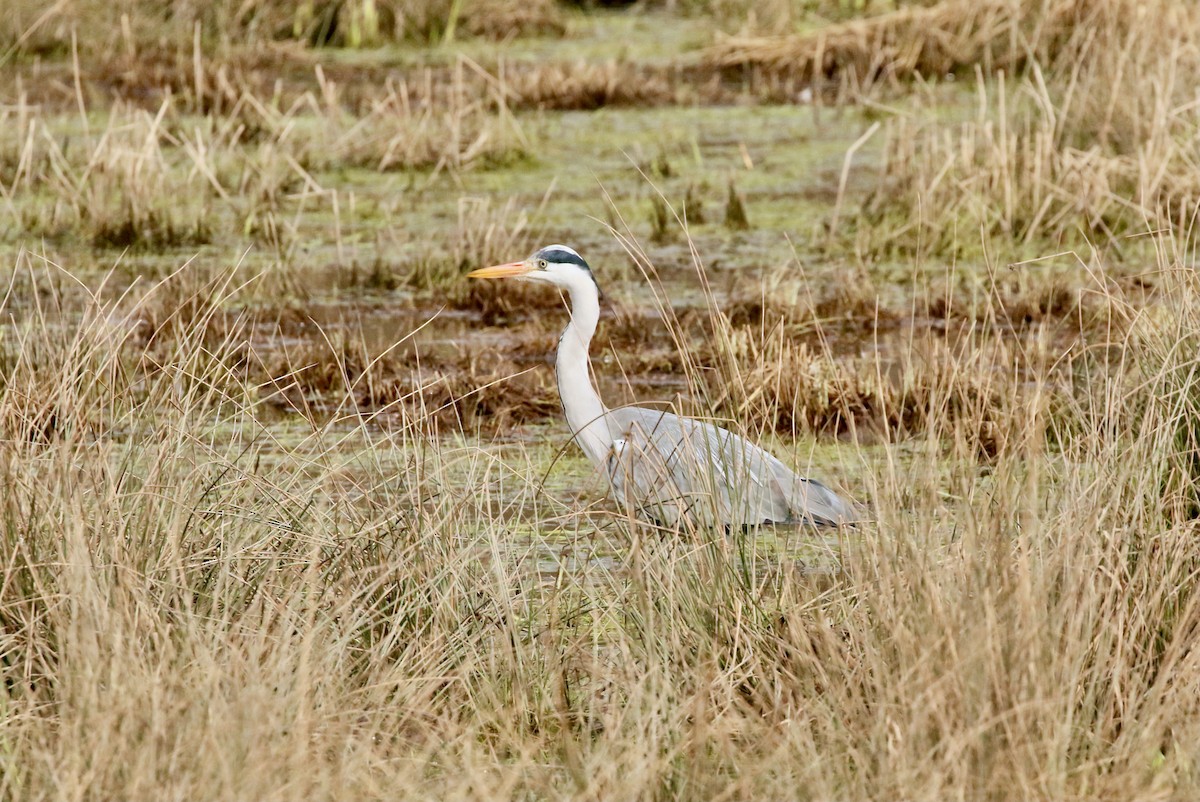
(1073, 151)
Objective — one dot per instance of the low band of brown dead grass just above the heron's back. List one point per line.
(945, 390)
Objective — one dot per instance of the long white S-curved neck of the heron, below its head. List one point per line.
(585, 411)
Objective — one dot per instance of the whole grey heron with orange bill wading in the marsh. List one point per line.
(665, 468)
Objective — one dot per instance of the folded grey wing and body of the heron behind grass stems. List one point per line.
(669, 468)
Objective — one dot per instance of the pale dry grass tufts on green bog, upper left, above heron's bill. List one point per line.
(164, 179)
